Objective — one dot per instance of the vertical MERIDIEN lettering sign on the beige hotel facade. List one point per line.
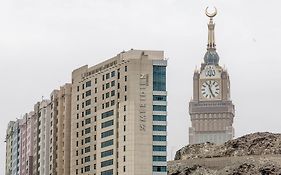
(143, 115)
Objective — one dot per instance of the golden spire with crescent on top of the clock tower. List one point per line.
(211, 26)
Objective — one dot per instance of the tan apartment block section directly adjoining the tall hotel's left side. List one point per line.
(60, 131)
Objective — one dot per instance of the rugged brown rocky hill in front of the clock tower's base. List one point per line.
(253, 154)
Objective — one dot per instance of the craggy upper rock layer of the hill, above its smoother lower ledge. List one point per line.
(251, 144)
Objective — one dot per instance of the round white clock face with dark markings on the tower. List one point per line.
(210, 89)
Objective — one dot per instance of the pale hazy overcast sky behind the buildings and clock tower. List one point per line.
(41, 42)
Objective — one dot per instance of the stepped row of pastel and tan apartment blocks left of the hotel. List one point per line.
(39, 142)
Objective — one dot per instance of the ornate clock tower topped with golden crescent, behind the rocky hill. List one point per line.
(211, 109)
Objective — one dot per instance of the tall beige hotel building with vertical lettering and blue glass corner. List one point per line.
(118, 116)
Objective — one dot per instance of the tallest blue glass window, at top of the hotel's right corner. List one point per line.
(159, 78)
